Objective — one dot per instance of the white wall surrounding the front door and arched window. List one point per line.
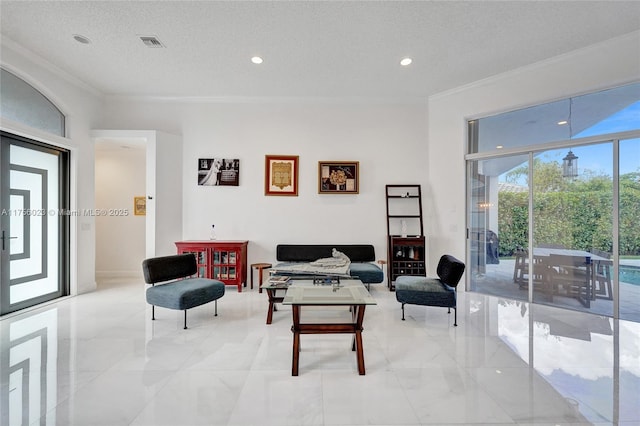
(81, 106)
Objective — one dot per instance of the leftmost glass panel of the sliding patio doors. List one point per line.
(499, 226)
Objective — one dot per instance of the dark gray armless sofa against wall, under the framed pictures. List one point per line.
(361, 256)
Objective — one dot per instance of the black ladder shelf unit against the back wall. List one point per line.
(406, 250)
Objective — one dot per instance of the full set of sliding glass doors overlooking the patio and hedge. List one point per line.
(539, 233)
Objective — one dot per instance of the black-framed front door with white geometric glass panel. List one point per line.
(34, 227)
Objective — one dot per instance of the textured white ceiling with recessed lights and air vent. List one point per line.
(310, 48)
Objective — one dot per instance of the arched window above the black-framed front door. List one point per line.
(22, 103)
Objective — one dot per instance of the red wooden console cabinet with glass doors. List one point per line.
(221, 260)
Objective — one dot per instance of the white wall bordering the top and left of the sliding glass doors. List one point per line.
(597, 67)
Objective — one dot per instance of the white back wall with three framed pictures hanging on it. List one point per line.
(388, 139)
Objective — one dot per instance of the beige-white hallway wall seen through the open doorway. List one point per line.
(120, 239)
